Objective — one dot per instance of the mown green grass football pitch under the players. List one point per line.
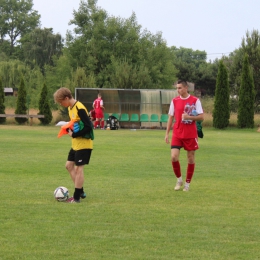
(132, 210)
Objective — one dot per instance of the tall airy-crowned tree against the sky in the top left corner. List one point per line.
(16, 19)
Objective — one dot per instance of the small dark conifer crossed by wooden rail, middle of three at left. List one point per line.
(21, 103)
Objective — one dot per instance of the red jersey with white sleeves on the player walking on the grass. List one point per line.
(185, 128)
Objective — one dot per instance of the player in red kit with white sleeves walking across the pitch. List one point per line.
(185, 109)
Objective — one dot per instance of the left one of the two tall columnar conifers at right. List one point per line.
(221, 112)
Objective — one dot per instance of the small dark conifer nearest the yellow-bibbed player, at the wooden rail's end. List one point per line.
(44, 106)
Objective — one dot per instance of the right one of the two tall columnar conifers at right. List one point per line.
(245, 118)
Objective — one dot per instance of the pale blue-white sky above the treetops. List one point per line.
(214, 26)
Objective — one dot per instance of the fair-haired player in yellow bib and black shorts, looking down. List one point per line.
(81, 148)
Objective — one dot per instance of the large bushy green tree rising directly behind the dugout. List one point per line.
(101, 38)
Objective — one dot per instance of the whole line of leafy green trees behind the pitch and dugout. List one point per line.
(105, 51)
